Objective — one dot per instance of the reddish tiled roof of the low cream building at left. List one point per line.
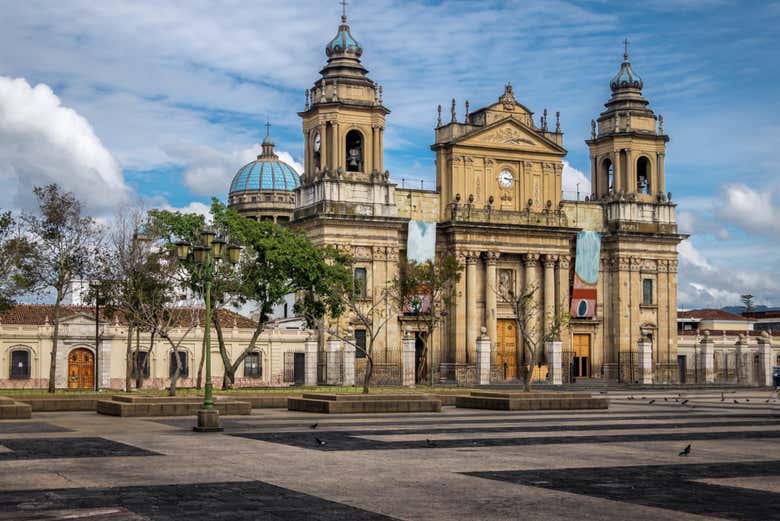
(40, 314)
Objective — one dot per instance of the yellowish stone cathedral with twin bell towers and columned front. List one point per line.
(608, 262)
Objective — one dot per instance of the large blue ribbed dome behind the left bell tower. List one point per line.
(267, 172)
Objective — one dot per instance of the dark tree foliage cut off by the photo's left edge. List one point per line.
(17, 259)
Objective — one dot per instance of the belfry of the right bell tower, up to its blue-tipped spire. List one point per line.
(628, 143)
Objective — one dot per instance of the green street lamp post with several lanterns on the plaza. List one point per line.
(206, 256)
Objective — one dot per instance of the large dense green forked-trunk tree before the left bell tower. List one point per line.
(275, 262)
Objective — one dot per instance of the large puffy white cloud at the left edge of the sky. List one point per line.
(43, 142)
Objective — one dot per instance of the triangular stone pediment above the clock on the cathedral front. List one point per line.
(510, 134)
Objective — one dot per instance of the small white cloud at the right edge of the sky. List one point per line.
(752, 210)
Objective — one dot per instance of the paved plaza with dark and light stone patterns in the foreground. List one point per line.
(623, 463)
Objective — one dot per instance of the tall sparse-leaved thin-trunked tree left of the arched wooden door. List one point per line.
(66, 245)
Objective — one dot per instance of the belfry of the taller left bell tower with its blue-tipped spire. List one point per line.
(344, 116)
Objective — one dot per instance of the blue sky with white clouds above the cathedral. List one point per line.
(166, 100)
